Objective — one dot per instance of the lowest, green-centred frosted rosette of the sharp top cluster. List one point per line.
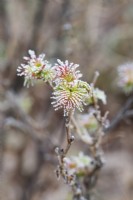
(69, 96)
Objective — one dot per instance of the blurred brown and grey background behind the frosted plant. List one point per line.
(98, 35)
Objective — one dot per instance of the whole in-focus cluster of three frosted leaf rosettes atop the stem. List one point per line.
(69, 91)
